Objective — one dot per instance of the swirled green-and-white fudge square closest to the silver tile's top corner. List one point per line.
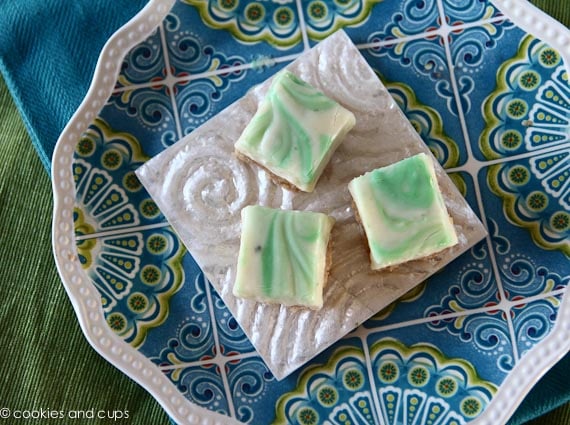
(294, 132)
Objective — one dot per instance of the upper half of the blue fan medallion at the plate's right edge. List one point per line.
(530, 109)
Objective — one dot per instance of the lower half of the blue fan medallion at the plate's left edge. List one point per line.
(136, 273)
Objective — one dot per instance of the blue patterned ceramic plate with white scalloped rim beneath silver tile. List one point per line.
(487, 91)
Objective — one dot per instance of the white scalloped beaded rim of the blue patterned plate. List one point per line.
(84, 296)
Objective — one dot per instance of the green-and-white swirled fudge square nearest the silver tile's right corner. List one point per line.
(402, 212)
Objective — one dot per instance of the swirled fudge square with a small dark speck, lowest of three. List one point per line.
(283, 256)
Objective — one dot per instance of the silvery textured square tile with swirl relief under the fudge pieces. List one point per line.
(201, 187)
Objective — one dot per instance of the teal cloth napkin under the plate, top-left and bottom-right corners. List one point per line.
(48, 53)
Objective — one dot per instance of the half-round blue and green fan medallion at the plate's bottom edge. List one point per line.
(411, 385)
